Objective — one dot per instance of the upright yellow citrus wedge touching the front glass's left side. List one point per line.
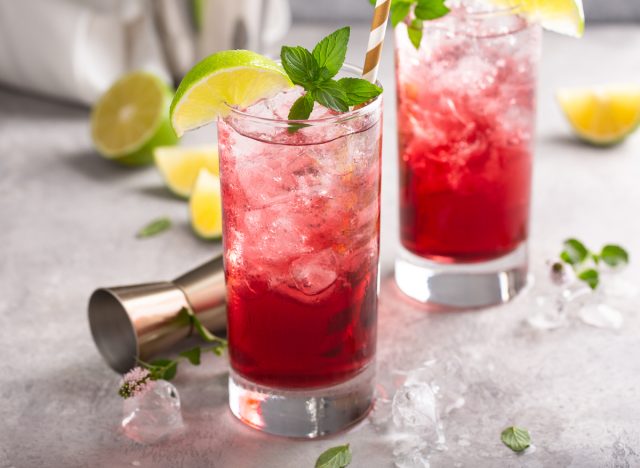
(205, 206)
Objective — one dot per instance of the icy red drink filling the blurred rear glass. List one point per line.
(465, 121)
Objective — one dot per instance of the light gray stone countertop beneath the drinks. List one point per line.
(68, 222)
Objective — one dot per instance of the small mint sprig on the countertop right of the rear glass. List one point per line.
(586, 263)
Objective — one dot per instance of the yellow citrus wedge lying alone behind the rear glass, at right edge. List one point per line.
(602, 115)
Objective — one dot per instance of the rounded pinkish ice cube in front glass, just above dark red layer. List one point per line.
(314, 272)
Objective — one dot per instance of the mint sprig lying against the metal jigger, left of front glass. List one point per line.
(166, 369)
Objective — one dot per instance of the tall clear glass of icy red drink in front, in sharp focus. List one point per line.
(301, 211)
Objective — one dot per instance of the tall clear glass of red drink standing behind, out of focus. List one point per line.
(466, 112)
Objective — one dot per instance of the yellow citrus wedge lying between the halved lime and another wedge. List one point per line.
(180, 165)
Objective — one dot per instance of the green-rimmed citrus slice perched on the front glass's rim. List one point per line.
(235, 77)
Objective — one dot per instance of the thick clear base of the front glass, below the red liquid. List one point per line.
(305, 413)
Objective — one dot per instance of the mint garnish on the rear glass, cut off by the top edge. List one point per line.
(418, 11)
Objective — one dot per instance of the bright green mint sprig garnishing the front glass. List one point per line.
(315, 70)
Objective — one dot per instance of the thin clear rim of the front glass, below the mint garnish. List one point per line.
(365, 110)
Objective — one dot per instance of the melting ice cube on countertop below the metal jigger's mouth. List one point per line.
(153, 416)
